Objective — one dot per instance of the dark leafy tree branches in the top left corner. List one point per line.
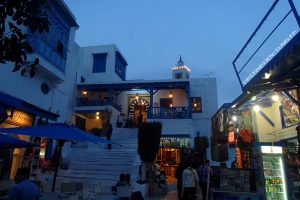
(16, 17)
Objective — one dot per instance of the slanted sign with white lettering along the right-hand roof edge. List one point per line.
(269, 57)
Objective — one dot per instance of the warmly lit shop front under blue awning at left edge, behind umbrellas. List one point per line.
(17, 113)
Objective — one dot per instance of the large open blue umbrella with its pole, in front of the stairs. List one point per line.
(61, 132)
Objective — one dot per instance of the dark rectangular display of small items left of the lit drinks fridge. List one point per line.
(234, 180)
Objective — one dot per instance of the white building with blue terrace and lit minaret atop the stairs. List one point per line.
(183, 105)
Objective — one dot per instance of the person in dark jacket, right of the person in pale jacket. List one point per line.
(204, 171)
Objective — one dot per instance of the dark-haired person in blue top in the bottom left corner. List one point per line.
(24, 188)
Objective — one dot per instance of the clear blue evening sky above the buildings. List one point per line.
(151, 34)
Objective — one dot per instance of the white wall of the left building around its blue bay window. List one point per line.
(59, 99)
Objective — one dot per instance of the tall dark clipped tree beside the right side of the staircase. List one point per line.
(148, 143)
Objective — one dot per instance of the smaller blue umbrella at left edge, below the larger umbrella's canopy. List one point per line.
(8, 142)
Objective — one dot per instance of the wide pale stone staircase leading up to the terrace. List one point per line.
(95, 164)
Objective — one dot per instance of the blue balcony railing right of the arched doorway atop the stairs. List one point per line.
(170, 113)
